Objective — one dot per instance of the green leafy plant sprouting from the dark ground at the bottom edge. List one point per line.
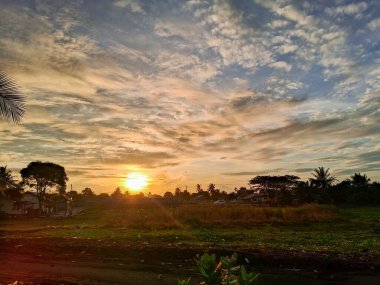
(226, 271)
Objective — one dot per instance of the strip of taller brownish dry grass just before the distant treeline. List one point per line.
(160, 217)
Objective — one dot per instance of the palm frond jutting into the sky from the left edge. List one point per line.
(11, 99)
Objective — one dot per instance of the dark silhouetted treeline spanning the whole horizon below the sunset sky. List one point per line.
(322, 187)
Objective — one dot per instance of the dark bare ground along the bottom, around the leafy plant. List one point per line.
(80, 261)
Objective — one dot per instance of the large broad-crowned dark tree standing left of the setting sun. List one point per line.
(43, 176)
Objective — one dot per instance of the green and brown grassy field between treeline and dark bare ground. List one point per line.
(310, 228)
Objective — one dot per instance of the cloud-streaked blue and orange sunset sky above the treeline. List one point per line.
(191, 92)
